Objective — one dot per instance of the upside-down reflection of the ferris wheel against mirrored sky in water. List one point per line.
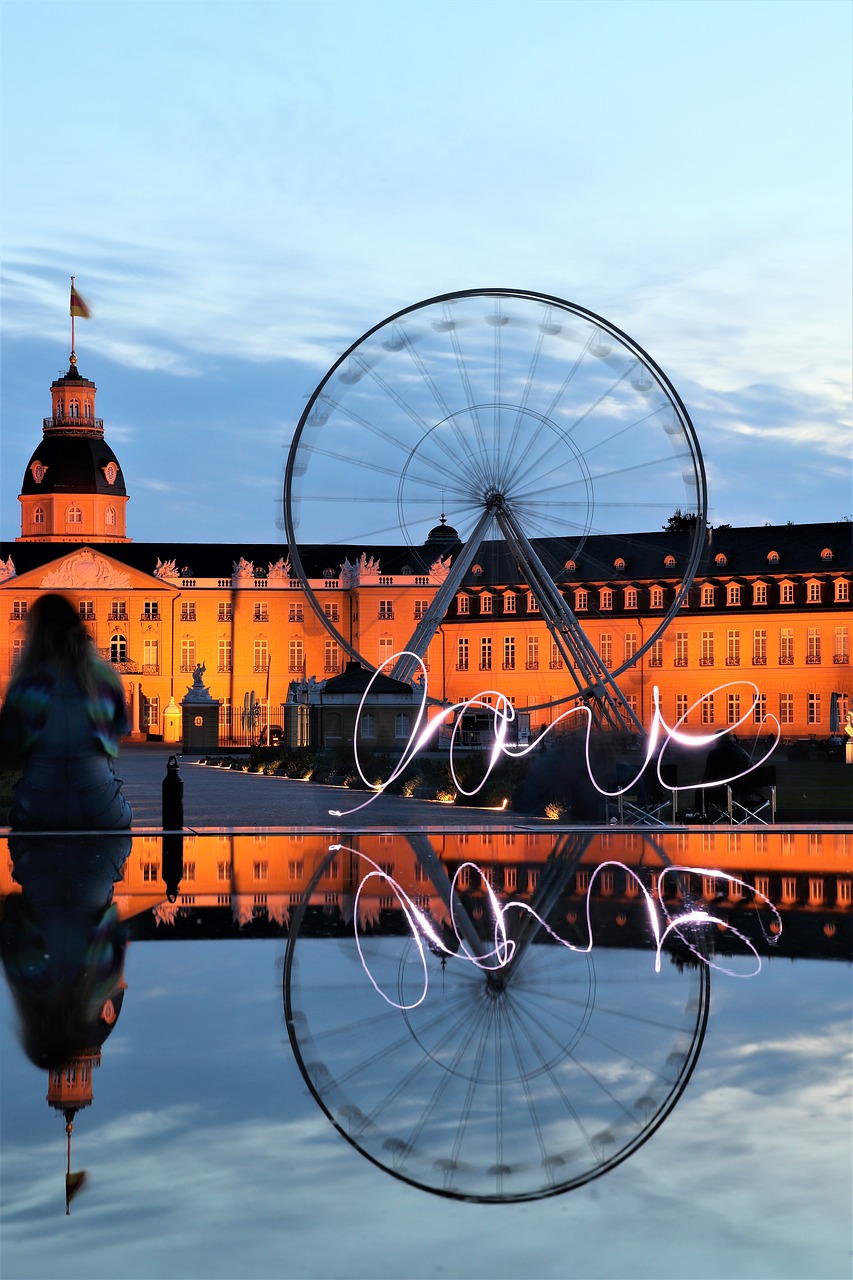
(498, 1087)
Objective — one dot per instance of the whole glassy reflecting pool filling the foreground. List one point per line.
(427, 1054)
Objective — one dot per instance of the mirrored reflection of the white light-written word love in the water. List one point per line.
(500, 953)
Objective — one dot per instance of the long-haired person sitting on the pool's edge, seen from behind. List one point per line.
(61, 724)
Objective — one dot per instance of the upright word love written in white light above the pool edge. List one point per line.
(503, 712)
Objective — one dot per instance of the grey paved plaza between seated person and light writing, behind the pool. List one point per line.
(227, 798)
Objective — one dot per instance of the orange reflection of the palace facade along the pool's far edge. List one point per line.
(253, 883)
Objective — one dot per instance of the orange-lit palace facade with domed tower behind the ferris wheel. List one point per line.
(769, 606)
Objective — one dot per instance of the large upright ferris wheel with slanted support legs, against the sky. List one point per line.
(521, 419)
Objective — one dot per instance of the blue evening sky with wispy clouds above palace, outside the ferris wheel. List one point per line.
(244, 190)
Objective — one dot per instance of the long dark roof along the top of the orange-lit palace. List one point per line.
(799, 547)
